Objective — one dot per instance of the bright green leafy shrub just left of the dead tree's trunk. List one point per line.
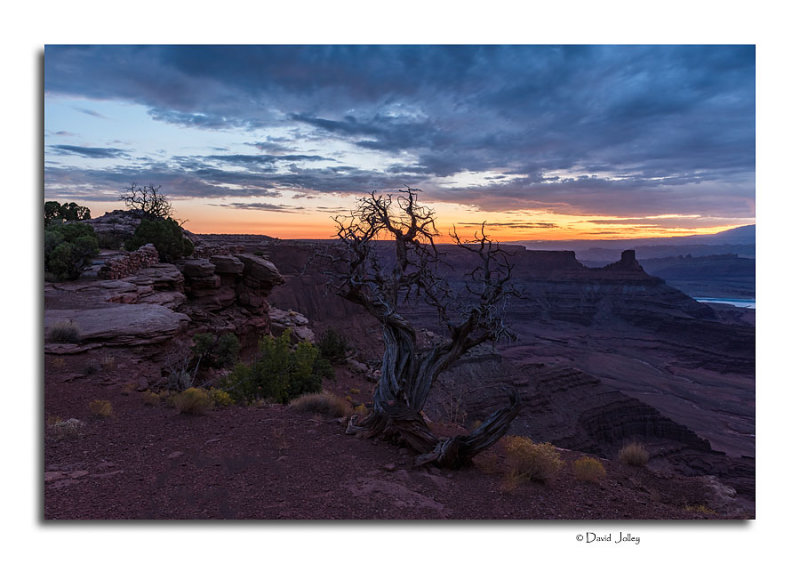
(279, 372)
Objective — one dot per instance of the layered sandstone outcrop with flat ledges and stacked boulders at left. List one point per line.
(162, 302)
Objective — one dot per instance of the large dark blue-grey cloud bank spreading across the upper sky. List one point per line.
(651, 129)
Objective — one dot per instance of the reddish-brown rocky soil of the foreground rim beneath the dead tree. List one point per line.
(271, 462)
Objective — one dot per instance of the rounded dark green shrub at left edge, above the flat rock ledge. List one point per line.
(68, 248)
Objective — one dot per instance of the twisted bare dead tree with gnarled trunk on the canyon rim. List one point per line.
(387, 258)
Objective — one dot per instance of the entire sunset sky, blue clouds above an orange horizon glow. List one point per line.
(540, 142)
